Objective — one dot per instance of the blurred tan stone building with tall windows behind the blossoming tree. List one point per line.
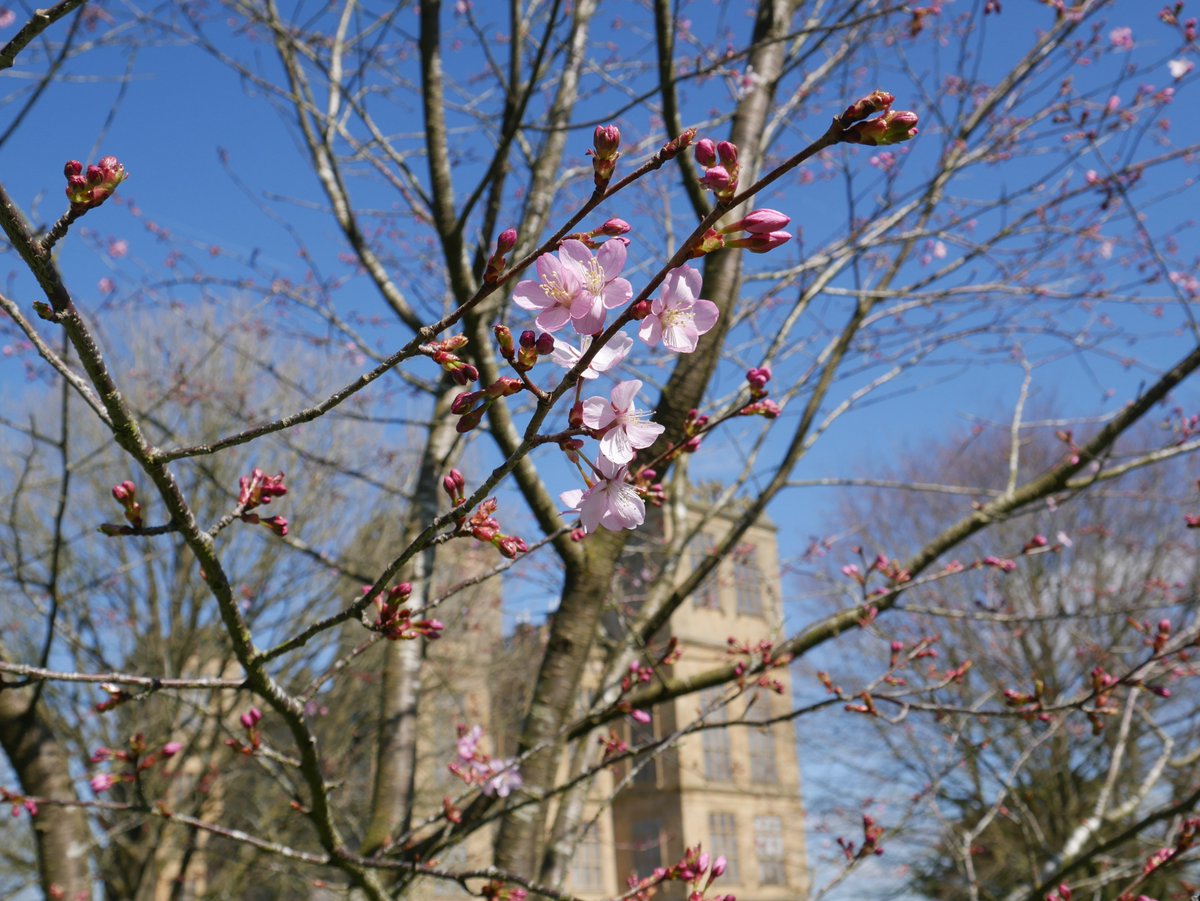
(735, 789)
